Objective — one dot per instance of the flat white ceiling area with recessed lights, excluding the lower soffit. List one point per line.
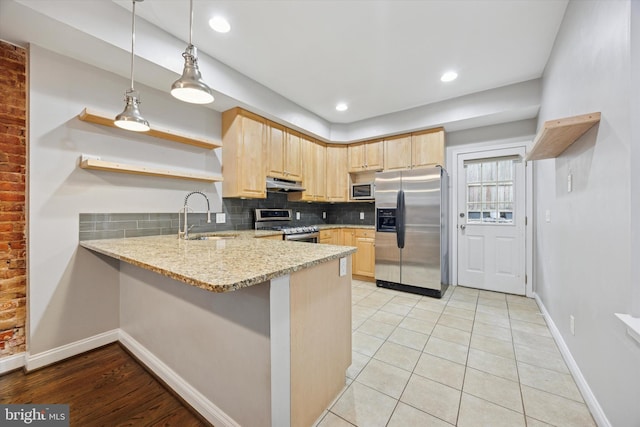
(378, 56)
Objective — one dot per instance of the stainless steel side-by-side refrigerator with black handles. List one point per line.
(412, 253)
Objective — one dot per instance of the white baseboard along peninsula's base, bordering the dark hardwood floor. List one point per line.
(193, 397)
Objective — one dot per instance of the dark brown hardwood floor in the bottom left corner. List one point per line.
(104, 387)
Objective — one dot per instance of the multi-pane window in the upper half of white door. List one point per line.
(490, 191)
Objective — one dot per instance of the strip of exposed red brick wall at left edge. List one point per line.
(13, 283)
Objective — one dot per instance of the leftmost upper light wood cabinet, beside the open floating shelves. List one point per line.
(244, 136)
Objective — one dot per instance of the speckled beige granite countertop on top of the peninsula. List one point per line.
(218, 265)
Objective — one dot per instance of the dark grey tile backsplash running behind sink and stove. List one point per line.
(239, 216)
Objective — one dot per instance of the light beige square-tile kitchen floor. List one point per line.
(473, 358)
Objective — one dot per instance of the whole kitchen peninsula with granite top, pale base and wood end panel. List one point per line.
(250, 331)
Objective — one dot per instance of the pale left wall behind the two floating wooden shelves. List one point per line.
(73, 294)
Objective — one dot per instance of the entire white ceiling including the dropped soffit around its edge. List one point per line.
(292, 61)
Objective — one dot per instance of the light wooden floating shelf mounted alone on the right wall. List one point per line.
(557, 135)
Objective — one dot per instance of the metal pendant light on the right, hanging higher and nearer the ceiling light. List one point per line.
(190, 87)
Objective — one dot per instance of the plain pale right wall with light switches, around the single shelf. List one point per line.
(582, 255)
